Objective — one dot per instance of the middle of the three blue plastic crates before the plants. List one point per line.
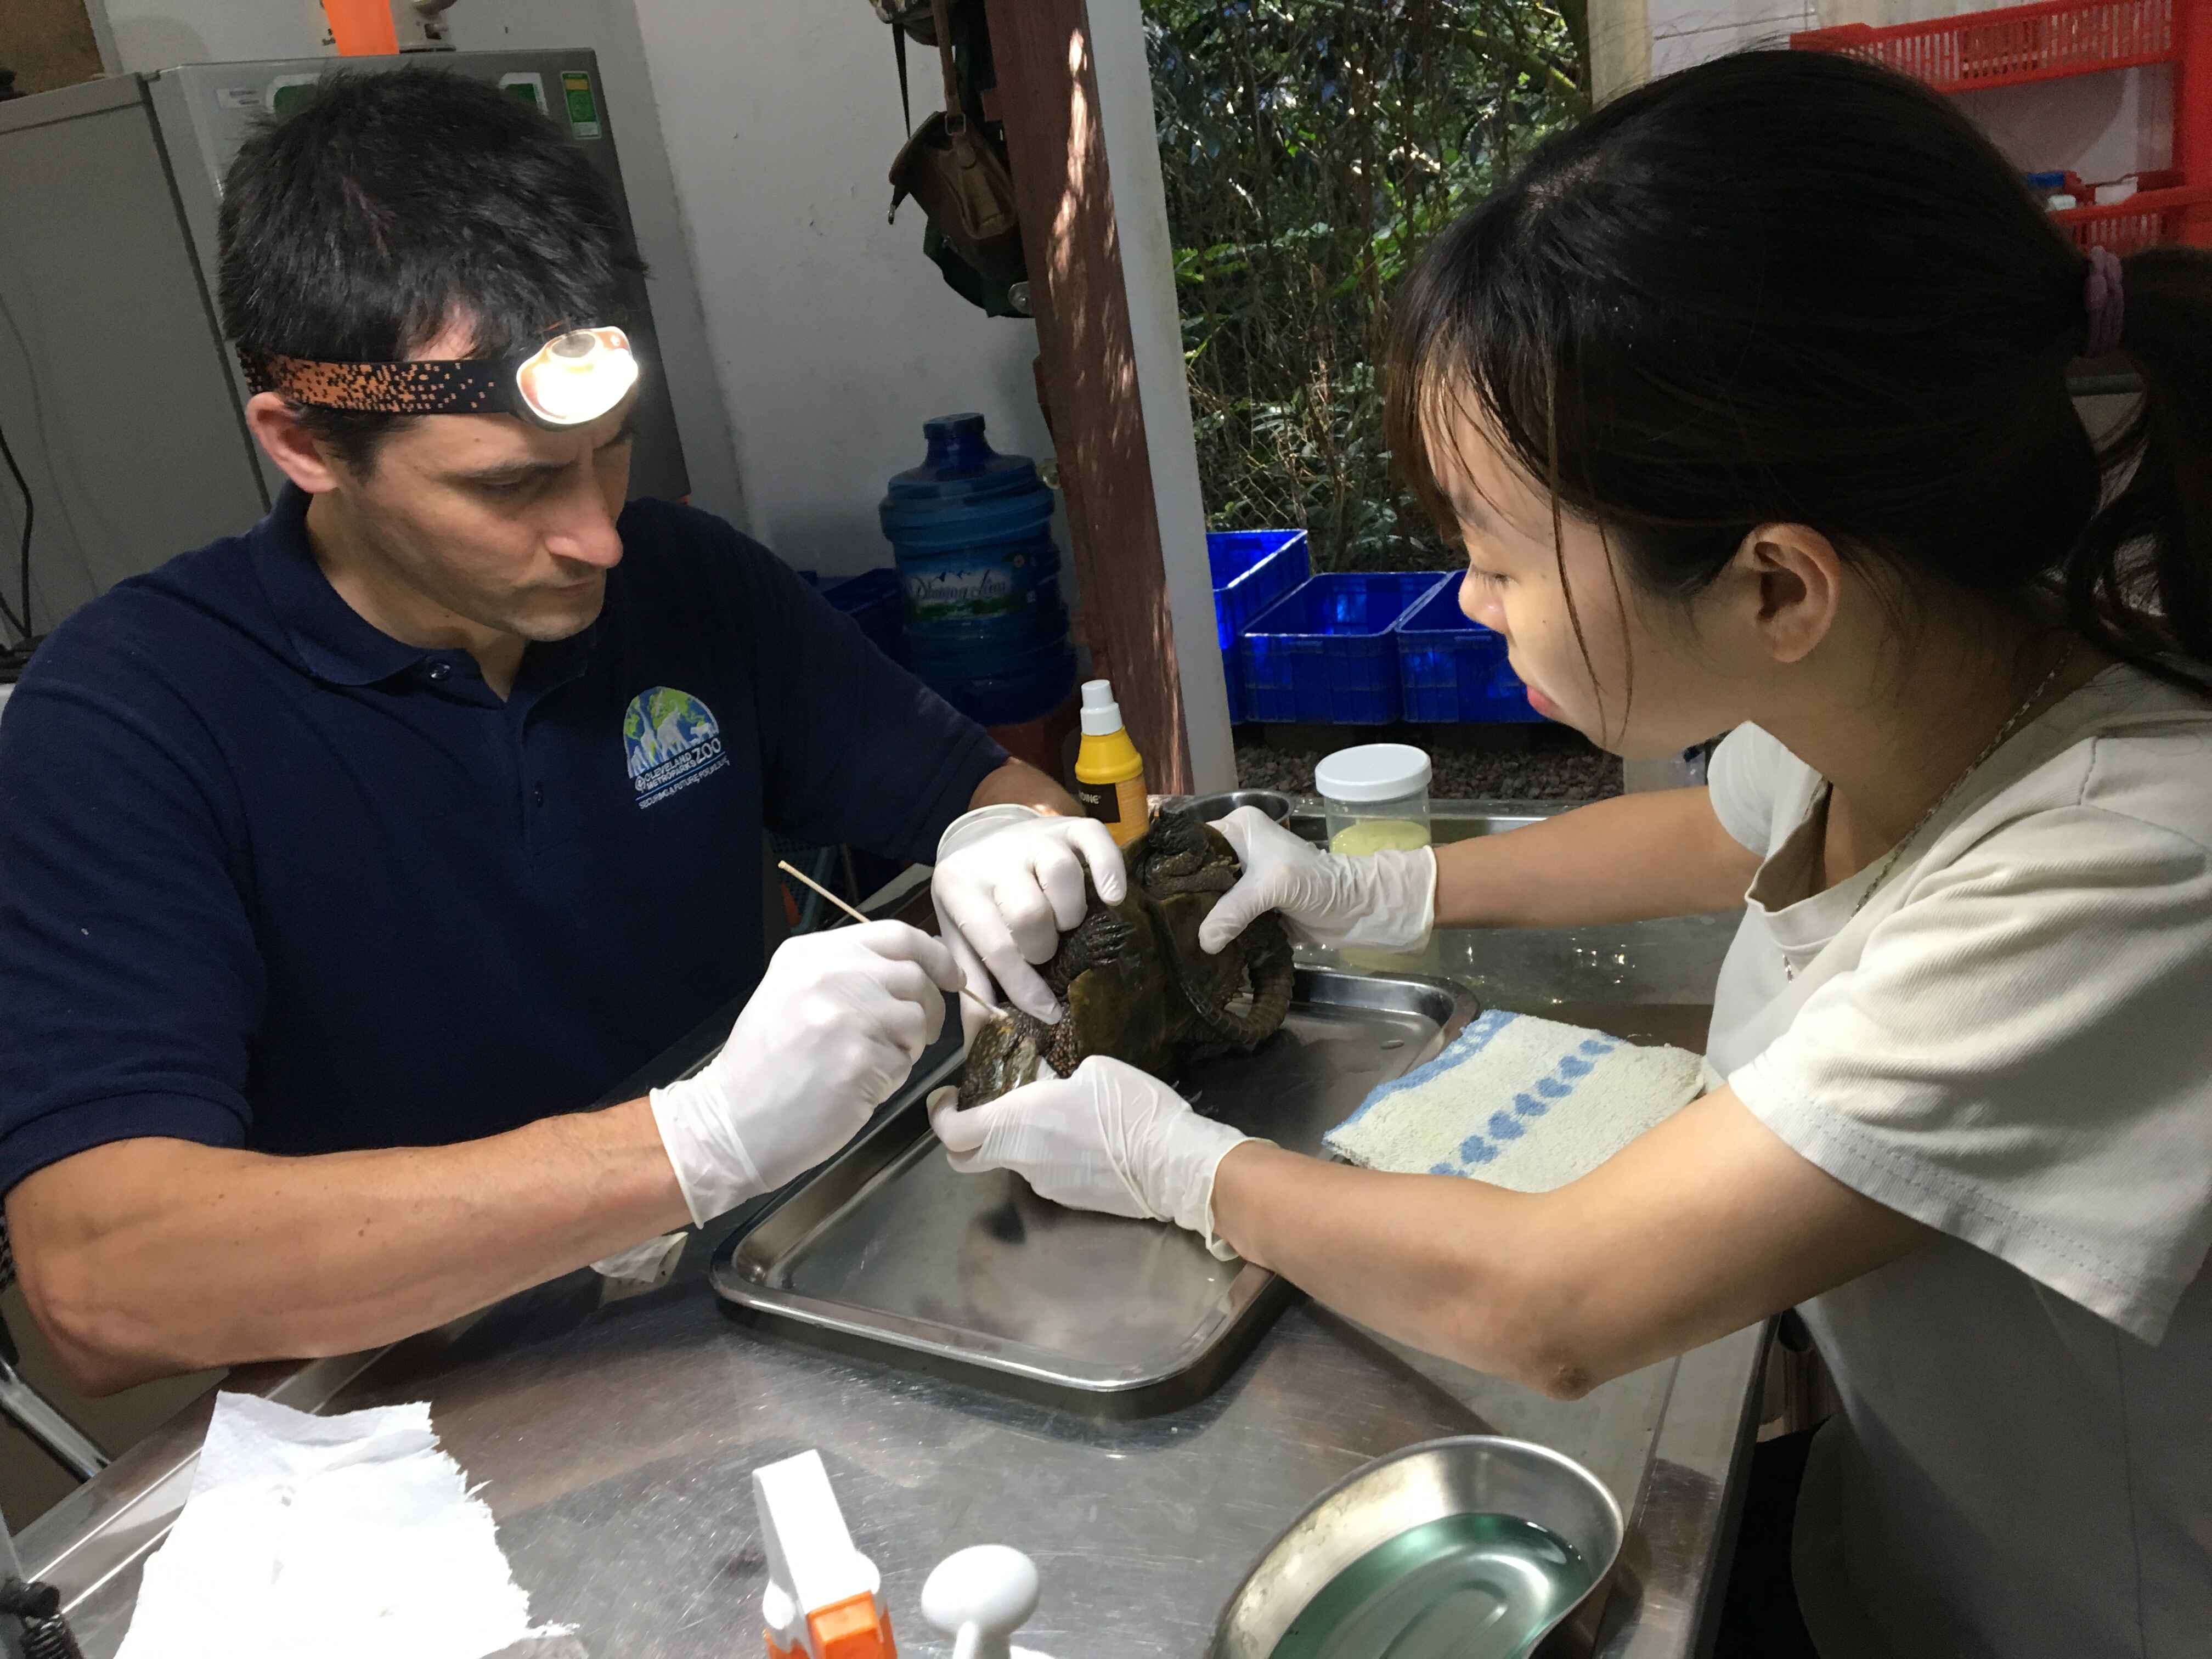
(1326, 649)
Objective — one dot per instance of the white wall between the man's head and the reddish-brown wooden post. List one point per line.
(833, 335)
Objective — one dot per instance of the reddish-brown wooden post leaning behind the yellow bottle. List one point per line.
(1089, 379)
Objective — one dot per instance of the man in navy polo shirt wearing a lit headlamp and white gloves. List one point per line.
(348, 862)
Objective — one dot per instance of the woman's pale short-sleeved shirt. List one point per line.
(2014, 1045)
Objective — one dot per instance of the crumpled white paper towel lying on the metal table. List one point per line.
(337, 1538)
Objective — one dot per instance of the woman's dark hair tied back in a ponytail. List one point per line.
(1799, 289)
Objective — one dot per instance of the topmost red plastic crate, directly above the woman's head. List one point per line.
(2012, 48)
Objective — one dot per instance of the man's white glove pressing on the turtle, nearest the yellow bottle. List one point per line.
(1012, 890)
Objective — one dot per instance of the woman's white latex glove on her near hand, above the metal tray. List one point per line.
(1109, 1138)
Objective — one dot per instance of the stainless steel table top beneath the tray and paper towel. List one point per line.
(614, 1441)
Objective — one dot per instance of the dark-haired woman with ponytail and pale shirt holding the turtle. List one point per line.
(1749, 401)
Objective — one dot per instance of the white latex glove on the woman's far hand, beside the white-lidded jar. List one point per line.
(1379, 899)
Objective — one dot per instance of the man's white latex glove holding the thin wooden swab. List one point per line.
(828, 1036)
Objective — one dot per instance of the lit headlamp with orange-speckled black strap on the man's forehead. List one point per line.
(567, 382)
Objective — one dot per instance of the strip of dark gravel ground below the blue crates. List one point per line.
(1483, 764)
